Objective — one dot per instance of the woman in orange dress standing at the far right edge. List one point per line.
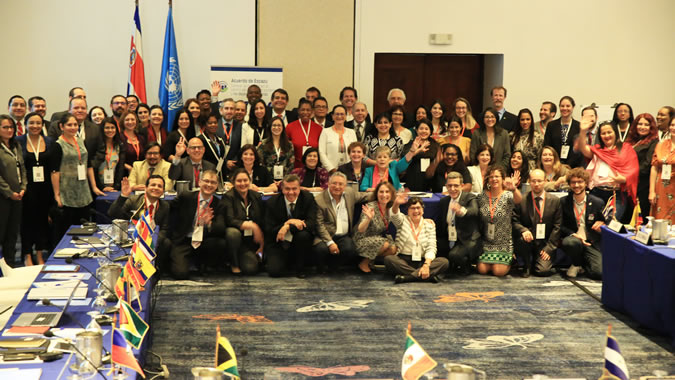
(662, 191)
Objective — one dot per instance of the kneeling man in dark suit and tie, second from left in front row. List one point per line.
(198, 227)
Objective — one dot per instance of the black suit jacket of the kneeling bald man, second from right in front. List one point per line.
(525, 218)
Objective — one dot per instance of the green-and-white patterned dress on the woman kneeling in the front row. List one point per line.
(500, 249)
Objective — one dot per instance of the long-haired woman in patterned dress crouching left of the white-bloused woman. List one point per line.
(371, 237)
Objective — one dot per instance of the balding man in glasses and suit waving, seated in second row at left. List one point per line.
(190, 168)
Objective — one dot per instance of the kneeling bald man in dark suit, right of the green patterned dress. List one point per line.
(536, 227)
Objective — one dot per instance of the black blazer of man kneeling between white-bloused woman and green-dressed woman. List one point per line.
(467, 226)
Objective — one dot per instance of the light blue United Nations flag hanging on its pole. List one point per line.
(170, 90)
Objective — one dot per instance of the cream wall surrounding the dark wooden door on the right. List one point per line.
(602, 51)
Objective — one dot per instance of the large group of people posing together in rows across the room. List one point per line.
(266, 187)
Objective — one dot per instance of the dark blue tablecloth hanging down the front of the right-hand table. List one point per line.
(639, 281)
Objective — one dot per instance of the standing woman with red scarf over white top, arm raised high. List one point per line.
(613, 167)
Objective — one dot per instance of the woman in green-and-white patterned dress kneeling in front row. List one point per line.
(495, 206)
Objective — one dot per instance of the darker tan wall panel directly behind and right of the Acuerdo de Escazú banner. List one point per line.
(311, 40)
